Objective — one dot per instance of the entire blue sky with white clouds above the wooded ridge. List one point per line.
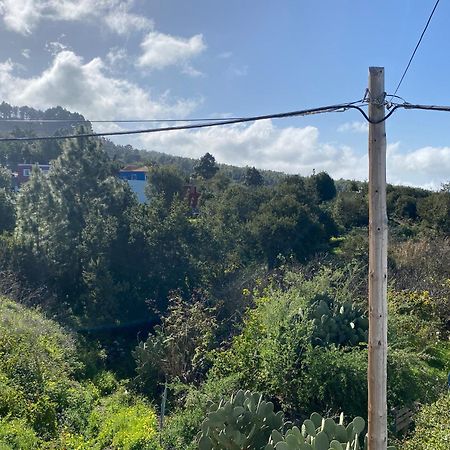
(128, 59)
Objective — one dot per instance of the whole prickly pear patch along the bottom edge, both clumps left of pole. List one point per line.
(247, 422)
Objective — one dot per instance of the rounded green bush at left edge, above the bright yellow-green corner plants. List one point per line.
(37, 370)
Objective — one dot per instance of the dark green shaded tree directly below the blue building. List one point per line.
(165, 247)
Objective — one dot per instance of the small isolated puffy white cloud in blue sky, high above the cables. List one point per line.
(162, 50)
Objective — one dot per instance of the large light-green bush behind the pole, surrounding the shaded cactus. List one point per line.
(277, 353)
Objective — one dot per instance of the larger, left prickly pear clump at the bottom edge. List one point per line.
(245, 421)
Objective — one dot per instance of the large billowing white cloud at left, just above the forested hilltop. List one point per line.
(87, 89)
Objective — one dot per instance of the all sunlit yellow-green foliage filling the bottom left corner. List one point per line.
(46, 400)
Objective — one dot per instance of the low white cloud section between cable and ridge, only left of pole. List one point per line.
(291, 150)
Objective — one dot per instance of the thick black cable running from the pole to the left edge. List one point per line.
(305, 112)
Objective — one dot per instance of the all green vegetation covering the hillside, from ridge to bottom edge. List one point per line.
(161, 310)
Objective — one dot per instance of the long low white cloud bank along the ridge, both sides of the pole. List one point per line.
(300, 150)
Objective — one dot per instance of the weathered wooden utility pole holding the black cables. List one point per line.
(377, 372)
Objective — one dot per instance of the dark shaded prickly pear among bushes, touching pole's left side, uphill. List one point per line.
(337, 323)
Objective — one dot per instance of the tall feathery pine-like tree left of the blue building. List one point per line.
(75, 222)
